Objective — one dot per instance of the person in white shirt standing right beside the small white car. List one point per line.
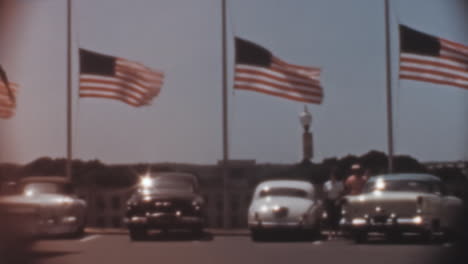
(333, 192)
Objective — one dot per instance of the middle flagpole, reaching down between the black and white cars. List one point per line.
(225, 118)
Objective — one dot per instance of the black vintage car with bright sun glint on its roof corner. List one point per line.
(165, 201)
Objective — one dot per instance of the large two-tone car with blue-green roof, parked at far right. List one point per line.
(394, 204)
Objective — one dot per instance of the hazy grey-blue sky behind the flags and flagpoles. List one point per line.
(183, 38)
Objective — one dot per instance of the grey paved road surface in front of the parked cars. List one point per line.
(180, 248)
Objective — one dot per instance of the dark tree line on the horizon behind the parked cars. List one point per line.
(94, 172)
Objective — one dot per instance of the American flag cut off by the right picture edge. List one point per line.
(431, 59)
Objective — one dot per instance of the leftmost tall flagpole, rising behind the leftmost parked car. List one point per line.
(69, 92)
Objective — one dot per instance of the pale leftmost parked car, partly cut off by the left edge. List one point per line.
(43, 206)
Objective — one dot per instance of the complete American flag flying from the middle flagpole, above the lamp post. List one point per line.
(258, 70)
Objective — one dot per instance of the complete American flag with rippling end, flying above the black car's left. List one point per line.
(103, 76)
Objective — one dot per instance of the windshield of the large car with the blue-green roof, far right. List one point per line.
(402, 186)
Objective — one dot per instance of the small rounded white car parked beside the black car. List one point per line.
(284, 205)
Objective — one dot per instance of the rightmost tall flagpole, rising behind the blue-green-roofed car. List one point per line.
(389, 88)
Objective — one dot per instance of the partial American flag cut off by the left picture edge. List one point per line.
(7, 96)
